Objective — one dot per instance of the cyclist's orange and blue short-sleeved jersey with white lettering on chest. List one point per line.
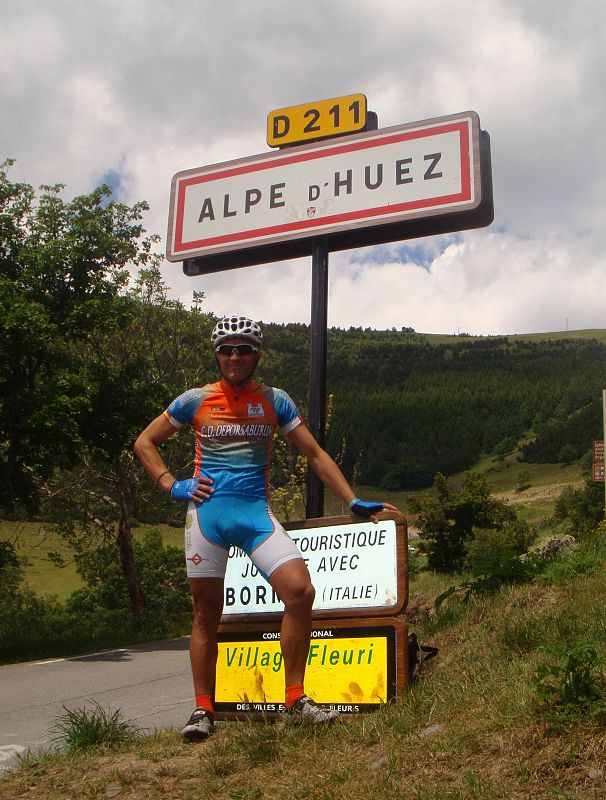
(234, 429)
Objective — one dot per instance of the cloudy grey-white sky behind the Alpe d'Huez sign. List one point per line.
(133, 91)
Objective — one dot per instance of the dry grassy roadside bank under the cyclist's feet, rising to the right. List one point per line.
(471, 730)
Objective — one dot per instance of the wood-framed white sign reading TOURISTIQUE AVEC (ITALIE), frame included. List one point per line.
(357, 568)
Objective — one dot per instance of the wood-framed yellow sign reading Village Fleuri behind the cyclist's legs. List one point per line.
(352, 666)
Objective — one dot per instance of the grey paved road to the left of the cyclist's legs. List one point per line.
(151, 685)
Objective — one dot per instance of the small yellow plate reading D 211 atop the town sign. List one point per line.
(316, 120)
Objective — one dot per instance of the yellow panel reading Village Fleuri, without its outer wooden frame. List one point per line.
(351, 673)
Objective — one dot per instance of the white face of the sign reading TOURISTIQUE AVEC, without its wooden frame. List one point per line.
(351, 566)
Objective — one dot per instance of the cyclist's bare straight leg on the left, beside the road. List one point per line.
(207, 596)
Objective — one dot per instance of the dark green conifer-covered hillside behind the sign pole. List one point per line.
(408, 406)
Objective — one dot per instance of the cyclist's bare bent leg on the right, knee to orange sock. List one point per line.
(293, 585)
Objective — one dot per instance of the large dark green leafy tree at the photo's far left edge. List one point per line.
(62, 263)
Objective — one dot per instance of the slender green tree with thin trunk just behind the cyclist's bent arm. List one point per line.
(149, 350)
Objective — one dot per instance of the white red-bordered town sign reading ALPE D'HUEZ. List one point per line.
(368, 179)
